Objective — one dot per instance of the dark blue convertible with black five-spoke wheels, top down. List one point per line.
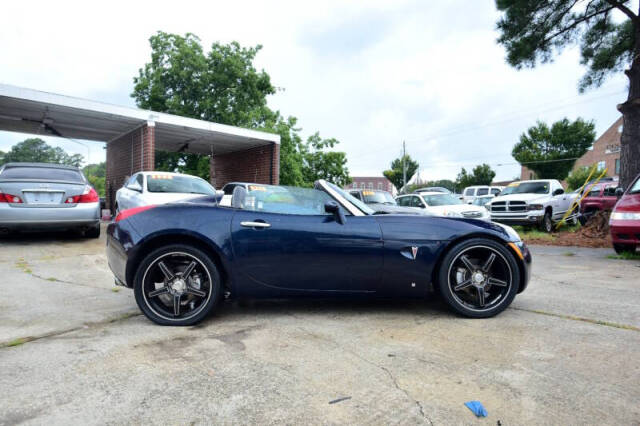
(181, 259)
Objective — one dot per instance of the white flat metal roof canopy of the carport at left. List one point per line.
(32, 111)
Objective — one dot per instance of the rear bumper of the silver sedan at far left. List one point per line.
(15, 217)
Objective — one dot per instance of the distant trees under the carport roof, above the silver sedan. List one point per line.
(35, 150)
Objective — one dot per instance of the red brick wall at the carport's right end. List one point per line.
(260, 165)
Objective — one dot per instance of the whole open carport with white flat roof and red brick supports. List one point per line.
(132, 136)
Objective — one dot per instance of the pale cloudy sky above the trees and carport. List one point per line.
(369, 73)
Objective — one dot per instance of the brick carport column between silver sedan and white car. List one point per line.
(127, 154)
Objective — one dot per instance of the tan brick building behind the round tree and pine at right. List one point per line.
(605, 153)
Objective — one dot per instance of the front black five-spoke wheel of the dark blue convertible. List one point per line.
(479, 278)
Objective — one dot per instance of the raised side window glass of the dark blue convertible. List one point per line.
(286, 200)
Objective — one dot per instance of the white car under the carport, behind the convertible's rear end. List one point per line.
(147, 188)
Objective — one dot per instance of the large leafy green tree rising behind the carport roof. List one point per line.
(223, 86)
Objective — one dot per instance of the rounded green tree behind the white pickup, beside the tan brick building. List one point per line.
(552, 152)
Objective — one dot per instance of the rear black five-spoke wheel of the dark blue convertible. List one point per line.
(177, 285)
